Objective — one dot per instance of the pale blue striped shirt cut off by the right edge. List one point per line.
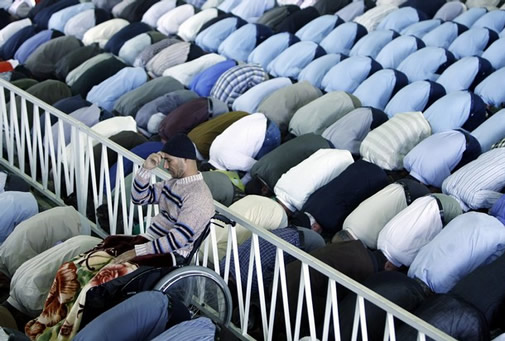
(477, 184)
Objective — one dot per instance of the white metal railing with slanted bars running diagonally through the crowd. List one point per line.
(30, 151)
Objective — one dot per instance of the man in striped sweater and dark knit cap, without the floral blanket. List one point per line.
(186, 204)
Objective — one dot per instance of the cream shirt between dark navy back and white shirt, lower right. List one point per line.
(370, 217)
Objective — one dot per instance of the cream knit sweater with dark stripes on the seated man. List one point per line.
(186, 206)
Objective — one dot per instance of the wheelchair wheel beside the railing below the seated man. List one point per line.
(202, 290)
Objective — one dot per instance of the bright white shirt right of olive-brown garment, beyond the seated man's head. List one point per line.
(236, 147)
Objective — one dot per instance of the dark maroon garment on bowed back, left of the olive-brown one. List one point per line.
(184, 118)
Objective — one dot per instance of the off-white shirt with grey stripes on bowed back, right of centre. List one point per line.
(387, 145)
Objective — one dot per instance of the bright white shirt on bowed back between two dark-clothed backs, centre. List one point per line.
(297, 184)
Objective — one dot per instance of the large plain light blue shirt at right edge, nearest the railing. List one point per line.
(467, 242)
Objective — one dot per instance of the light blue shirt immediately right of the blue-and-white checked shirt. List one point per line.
(253, 97)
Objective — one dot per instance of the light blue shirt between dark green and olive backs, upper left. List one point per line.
(108, 92)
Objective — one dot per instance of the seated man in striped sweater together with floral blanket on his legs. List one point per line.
(186, 207)
